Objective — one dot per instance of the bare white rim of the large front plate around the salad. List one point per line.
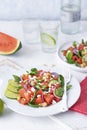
(73, 95)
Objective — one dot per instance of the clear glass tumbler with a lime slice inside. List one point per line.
(49, 36)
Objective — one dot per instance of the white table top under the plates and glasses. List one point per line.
(30, 55)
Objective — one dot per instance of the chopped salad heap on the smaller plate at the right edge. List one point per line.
(76, 54)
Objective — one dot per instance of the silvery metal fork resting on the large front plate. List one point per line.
(67, 78)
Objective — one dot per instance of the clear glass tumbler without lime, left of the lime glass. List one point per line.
(31, 31)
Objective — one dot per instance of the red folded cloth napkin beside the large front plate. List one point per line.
(81, 104)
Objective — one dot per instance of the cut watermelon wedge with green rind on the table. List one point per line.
(8, 44)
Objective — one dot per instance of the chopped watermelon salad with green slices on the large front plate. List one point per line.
(37, 88)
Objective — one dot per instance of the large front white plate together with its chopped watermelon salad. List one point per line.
(35, 100)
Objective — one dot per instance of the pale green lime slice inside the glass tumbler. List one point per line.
(48, 39)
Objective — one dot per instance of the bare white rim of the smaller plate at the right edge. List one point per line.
(63, 59)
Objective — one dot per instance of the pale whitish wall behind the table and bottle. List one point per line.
(39, 9)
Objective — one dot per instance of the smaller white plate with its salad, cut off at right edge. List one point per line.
(74, 55)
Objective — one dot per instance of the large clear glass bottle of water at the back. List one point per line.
(70, 16)
